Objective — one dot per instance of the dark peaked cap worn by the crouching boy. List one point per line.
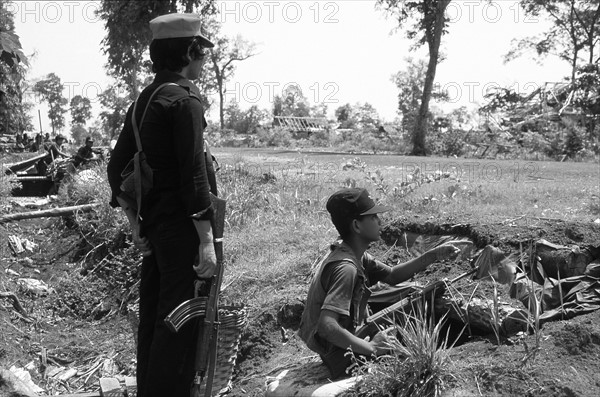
(353, 202)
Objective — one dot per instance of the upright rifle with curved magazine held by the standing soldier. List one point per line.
(206, 310)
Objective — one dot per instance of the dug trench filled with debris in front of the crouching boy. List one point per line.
(516, 282)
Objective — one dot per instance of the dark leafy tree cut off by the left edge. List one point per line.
(14, 110)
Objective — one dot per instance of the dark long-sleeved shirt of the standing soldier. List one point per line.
(172, 139)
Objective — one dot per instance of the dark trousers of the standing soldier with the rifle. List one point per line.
(165, 360)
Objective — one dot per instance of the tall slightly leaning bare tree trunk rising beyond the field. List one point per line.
(433, 42)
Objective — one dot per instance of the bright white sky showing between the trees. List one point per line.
(337, 52)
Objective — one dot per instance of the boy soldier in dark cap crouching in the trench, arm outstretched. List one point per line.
(337, 298)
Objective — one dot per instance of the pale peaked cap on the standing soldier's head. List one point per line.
(177, 25)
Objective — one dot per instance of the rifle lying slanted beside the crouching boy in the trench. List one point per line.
(385, 317)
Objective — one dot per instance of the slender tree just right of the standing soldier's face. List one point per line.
(222, 57)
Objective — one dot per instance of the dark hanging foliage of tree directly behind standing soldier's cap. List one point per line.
(128, 36)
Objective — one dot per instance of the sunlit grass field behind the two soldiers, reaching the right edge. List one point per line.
(277, 222)
